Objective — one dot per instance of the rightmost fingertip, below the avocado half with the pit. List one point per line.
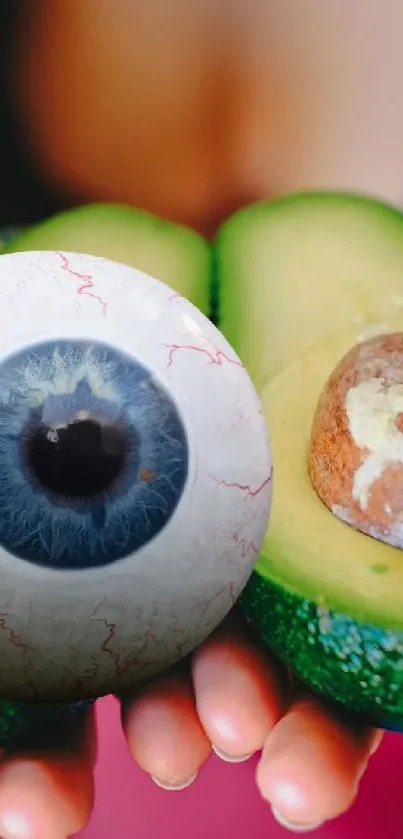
(312, 764)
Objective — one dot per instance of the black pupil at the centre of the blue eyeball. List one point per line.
(81, 459)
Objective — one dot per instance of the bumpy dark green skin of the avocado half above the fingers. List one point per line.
(354, 665)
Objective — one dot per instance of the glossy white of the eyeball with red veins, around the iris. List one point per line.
(66, 635)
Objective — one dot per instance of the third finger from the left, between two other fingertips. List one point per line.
(239, 689)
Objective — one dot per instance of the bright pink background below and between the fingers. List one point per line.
(224, 802)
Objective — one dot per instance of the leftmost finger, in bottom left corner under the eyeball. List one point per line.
(46, 786)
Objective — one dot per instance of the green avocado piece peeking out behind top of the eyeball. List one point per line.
(169, 252)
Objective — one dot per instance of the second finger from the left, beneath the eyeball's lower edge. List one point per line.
(163, 732)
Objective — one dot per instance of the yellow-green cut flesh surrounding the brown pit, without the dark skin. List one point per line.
(306, 547)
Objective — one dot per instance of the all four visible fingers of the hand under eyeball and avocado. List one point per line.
(231, 697)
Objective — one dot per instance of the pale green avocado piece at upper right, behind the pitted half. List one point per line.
(294, 270)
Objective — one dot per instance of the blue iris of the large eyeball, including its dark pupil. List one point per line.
(93, 455)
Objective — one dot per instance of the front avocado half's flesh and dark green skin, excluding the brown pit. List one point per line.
(327, 599)
